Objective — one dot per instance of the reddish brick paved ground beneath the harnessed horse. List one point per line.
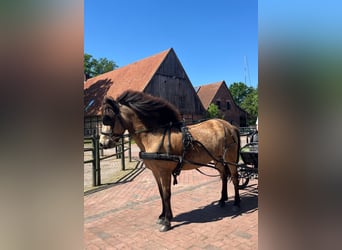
(124, 215)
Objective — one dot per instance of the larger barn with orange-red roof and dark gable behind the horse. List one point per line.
(160, 75)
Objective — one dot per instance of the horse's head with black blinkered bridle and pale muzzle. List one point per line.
(112, 127)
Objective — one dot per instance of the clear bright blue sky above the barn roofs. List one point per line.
(214, 40)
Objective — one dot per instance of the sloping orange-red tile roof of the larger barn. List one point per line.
(134, 76)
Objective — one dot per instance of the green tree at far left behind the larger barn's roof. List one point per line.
(94, 67)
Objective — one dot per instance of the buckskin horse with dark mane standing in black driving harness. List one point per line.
(168, 145)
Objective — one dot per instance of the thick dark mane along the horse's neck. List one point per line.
(153, 111)
